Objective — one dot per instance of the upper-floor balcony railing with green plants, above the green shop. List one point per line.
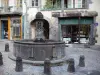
(57, 5)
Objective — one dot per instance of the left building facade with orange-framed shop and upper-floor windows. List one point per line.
(11, 19)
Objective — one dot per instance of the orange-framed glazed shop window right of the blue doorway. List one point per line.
(16, 28)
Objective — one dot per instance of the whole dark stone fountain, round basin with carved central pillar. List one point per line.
(37, 50)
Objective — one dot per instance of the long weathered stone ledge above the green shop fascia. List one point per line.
(74, 14)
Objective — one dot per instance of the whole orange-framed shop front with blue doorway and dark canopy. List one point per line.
(10, 26)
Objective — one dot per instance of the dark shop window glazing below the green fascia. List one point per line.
(72, 34)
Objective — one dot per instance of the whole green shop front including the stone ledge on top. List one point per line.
(76, 26)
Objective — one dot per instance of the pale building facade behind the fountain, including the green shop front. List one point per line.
(73, 21)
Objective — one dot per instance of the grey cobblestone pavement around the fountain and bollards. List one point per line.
(92, 63)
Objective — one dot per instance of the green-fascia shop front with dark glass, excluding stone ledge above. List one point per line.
(75, 29)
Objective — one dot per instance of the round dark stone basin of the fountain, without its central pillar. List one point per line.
(39, 51)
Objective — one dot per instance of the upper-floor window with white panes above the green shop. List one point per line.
(74, 3)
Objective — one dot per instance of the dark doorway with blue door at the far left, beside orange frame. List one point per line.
(4, 28)
